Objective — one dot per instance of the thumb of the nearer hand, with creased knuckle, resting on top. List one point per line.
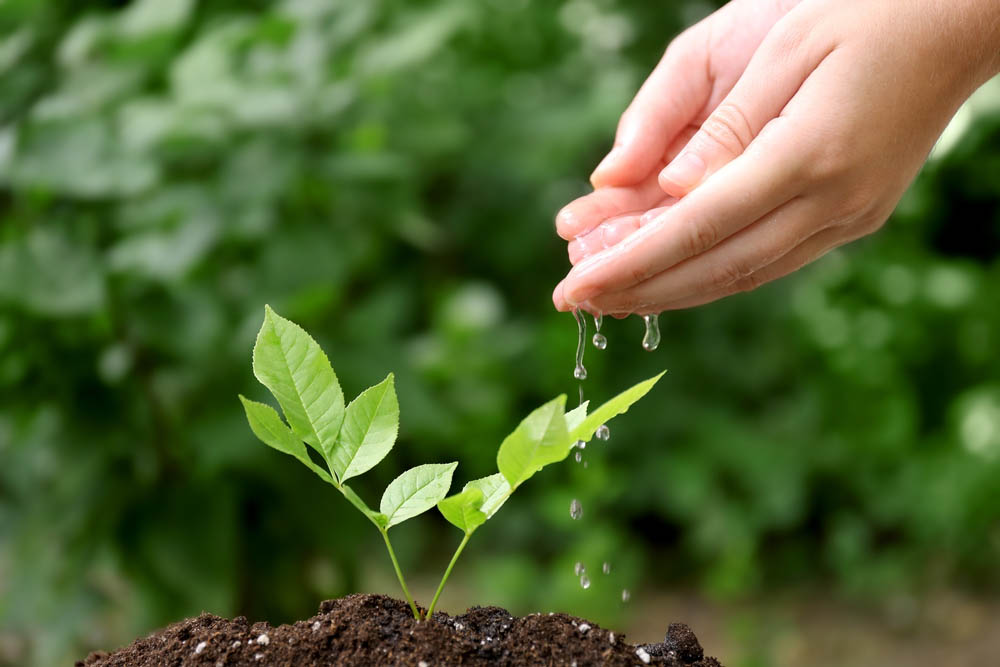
(772, 77)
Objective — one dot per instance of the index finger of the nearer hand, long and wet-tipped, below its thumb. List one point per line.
(766, 176)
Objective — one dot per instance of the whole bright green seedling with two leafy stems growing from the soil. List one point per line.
(352, 439)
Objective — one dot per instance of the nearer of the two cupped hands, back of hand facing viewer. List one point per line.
(813, 147)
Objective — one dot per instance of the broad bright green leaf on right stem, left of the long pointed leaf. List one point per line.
(537, 441)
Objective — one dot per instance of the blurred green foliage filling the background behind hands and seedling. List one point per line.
(385, 173)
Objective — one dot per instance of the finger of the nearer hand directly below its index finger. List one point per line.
(741, 255)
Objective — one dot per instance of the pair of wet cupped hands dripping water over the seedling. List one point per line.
(770, 133)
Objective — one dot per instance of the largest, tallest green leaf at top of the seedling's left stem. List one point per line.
(291, 364)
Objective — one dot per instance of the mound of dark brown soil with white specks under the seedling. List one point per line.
(379, 630)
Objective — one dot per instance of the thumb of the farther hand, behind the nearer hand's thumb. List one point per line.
(668, 101)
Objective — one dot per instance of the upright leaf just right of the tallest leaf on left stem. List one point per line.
(368, 432)
